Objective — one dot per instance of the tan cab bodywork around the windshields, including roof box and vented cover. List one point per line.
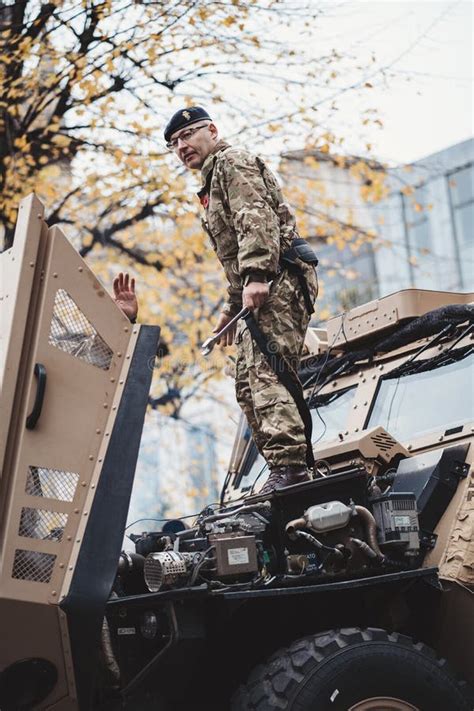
(453, 552)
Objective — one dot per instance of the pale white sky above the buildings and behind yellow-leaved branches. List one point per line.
(417, 55)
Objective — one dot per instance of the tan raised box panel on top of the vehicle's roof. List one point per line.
(384, 314)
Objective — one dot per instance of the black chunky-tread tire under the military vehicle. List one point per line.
(354, 670)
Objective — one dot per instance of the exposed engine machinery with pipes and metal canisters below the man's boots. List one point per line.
(246, 547)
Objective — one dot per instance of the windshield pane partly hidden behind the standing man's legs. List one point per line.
(329, 415)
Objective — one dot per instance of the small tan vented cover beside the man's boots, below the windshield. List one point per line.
(371, 447)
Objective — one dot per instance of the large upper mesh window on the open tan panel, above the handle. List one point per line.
(74, 334)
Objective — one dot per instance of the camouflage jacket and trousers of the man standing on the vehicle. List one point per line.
(249, 225)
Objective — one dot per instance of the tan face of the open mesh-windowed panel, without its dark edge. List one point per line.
(54, 313)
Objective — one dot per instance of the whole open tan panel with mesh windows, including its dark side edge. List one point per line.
(74, 342)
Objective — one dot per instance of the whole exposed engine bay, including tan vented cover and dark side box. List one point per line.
(371, 511)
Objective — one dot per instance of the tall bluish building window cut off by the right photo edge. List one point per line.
(461, 192)
